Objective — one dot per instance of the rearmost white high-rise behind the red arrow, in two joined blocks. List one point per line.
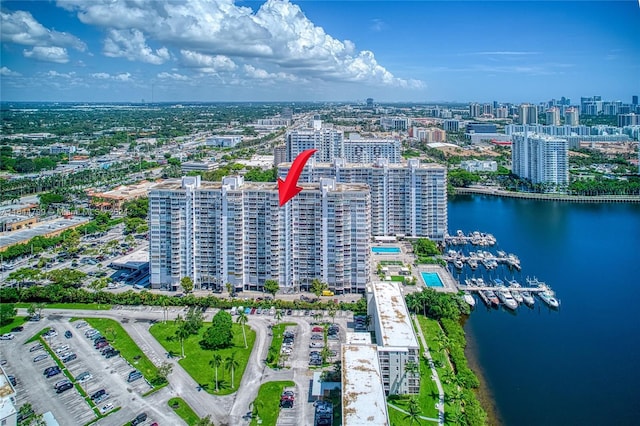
(331, 144)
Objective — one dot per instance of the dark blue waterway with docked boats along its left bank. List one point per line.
(578, 365)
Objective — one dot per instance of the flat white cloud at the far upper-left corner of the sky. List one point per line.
(20, 27)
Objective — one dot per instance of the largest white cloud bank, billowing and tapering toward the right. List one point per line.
(278, 35)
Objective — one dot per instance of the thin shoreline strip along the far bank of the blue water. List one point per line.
(548, 197)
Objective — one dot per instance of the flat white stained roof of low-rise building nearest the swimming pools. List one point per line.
(393, 317)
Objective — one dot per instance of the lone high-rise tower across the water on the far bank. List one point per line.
(541, 159)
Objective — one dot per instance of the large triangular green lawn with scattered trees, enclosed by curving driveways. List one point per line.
(196, 361)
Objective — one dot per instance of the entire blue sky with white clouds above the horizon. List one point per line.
(225, 50)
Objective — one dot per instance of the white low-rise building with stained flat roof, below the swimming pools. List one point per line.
(398, 348)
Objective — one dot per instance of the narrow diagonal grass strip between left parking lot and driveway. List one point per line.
(127, 347)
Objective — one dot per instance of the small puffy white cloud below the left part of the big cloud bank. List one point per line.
(131, 44)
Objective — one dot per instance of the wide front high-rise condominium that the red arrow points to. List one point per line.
(235, 232)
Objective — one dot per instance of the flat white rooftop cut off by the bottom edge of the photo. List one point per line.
(363, 399)
